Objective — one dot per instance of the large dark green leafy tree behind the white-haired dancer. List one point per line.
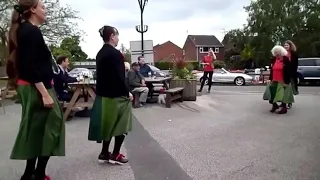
(272, 22)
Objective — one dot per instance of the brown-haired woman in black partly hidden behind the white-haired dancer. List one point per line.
(293, 57)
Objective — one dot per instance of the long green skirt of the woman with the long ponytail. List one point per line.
(42, 130)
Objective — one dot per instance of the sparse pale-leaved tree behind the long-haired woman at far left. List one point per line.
(59, 25)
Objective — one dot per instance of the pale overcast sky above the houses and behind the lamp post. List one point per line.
(167, 19)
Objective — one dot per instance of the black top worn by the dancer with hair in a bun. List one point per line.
(111, 80)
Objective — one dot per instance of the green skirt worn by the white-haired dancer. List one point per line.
(278, 92)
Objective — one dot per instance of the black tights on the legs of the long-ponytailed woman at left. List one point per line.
(39, 171)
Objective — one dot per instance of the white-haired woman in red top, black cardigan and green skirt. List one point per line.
(280, 77)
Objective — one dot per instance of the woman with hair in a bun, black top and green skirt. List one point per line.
(111, 114)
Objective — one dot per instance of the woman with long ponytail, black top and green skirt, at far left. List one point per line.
(42, 130)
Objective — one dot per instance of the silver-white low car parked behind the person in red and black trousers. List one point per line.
(224, 76)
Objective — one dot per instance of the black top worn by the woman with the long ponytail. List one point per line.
(34, 60)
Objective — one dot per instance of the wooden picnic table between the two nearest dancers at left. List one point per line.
(85, 87)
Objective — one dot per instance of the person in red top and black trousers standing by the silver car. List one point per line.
(208, 69)
